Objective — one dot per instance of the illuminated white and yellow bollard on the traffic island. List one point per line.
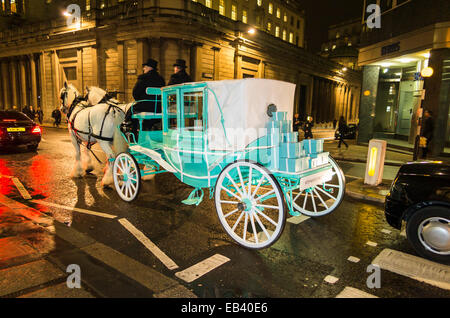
(375, 162)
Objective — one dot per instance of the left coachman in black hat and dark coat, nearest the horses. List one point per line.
(149, 78)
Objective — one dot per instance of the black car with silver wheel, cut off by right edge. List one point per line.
(420, 196)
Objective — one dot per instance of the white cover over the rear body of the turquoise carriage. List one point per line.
(244, 106)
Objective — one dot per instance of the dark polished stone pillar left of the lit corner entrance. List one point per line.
(368, 102)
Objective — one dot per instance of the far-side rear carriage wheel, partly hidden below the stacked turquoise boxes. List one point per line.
(324, 198)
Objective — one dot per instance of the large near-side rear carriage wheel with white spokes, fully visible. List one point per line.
(250, 204)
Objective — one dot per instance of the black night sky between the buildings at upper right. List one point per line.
(322, 13)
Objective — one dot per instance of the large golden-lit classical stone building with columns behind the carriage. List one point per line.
(218, 39)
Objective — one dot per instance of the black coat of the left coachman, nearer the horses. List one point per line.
(149, 79)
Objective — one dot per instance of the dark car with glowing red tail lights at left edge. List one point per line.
(17, 129)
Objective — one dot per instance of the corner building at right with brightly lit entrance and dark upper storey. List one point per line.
(414, 35)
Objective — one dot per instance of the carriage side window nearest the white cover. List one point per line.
(193, 110)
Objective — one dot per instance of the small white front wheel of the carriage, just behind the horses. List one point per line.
(127, 177)
